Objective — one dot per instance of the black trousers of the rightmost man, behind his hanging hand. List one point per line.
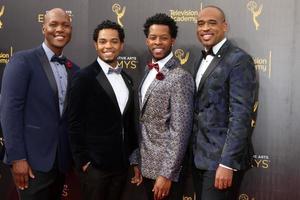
(204, 185)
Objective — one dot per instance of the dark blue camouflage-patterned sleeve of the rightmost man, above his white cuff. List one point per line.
(242, 90)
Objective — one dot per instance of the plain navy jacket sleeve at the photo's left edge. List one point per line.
(15, 82)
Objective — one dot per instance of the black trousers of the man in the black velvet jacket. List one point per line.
(102, 185)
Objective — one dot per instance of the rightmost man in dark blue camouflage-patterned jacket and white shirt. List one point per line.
(226, 89)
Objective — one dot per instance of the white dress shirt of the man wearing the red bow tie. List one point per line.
(152, 75)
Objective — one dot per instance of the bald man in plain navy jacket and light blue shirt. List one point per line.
(33, 112)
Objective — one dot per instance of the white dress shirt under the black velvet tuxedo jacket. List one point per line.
(117, 83)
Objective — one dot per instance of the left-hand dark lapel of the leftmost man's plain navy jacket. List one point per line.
(48, 71)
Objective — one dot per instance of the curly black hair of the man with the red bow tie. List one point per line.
(162, 19)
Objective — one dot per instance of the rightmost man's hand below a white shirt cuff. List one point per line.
(223, 178)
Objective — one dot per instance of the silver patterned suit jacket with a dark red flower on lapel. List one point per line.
(166, 116)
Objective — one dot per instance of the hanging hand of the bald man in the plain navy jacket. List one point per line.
(21, 172)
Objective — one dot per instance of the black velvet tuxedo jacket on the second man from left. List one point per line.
(99, 133)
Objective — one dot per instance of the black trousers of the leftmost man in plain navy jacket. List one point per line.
(45, 186)
